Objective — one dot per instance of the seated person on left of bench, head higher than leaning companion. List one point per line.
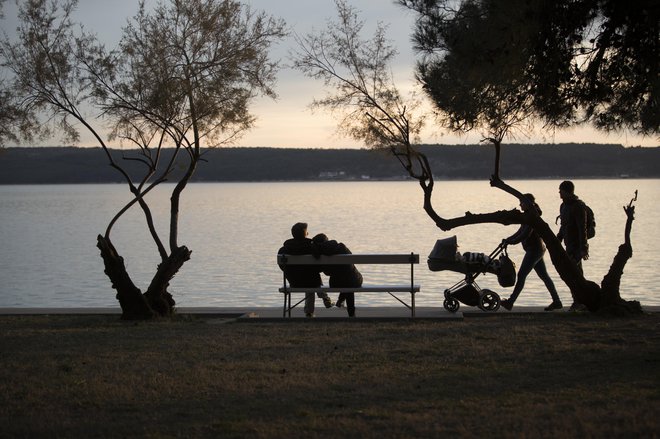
(303, 275)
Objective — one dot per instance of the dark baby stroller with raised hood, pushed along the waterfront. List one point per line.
(445, 257)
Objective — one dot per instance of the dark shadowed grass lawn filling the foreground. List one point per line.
(506, 375)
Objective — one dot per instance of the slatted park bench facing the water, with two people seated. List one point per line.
(363, 259)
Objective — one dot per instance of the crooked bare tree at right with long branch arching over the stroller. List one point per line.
(373, 111)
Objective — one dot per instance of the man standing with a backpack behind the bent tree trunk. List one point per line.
(573, 228)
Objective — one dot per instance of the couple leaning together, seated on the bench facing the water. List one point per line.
(310, 275)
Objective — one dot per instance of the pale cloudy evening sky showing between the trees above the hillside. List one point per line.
(288, 121)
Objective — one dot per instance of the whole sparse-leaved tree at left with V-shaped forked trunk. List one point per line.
(184, 74)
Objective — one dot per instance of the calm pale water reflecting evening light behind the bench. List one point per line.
(50, 259)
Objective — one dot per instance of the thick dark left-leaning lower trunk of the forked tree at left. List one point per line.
(133, 304)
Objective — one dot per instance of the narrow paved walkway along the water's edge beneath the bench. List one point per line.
(275, 313)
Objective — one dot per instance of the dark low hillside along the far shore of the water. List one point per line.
(44, 165)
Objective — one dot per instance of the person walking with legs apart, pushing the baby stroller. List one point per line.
(533, 259)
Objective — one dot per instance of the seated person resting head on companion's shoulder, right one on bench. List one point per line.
(340, 275)
